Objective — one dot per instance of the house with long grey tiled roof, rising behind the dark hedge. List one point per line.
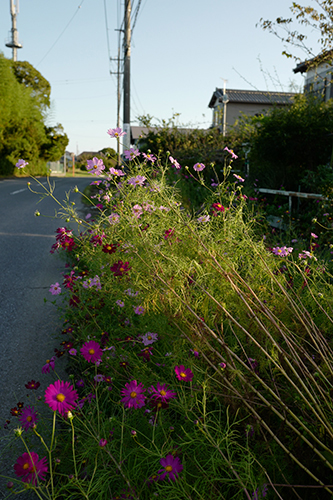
(249, 102)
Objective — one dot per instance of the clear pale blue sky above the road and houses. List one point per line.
(181, 51)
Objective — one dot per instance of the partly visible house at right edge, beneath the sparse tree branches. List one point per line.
(318, 75)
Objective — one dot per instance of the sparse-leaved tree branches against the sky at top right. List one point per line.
(315, 20)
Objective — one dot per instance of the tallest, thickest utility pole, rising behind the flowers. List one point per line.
(127, 61)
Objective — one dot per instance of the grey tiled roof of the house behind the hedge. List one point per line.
(252, 96)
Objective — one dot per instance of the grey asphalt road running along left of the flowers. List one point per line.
(27, 269)
